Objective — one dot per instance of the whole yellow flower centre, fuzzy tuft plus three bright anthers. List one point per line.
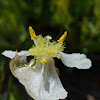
(44, 49)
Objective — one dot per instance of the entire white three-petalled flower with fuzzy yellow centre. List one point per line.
(39, 76)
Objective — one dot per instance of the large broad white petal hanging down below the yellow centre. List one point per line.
(42, 81)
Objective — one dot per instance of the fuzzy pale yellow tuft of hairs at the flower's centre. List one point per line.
(43, 50)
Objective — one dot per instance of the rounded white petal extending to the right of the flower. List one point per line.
(77, 60)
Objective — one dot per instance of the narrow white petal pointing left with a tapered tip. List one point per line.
(11, 54)
